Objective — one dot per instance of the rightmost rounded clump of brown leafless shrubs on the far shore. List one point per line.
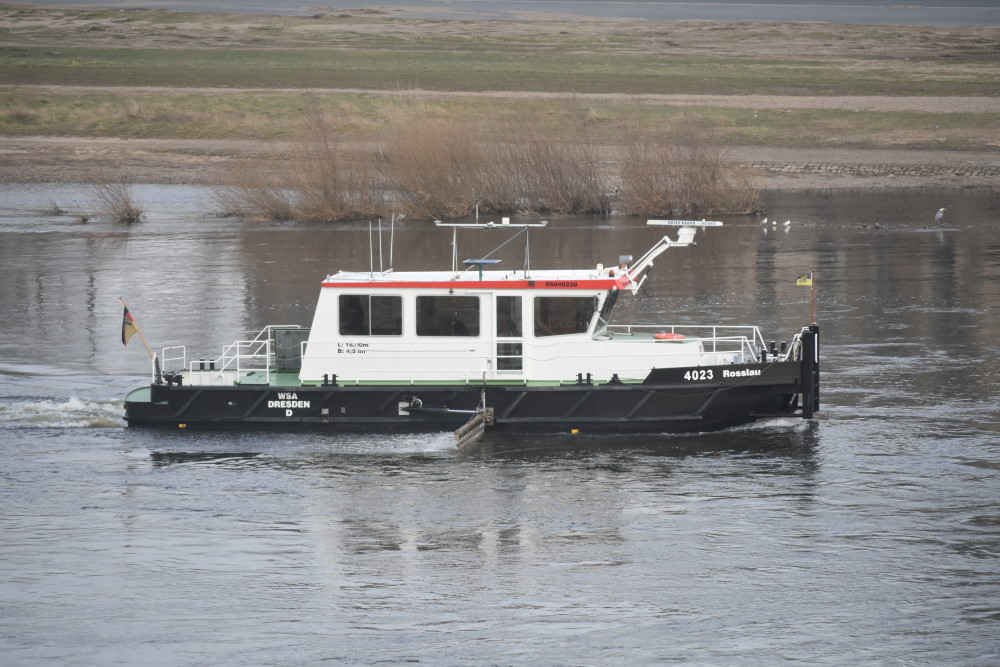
(683, 175)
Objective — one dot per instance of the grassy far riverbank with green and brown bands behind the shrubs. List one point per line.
(182, 97)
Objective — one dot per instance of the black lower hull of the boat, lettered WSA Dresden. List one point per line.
(669, 401)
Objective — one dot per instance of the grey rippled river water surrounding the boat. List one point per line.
(870, 536)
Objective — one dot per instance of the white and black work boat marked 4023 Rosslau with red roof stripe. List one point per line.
(522, 350)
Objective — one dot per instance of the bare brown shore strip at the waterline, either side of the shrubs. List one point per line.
(210, 162)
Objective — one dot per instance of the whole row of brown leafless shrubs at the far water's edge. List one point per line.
(433, 168)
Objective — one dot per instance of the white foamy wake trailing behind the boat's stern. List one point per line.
(30, 412)
